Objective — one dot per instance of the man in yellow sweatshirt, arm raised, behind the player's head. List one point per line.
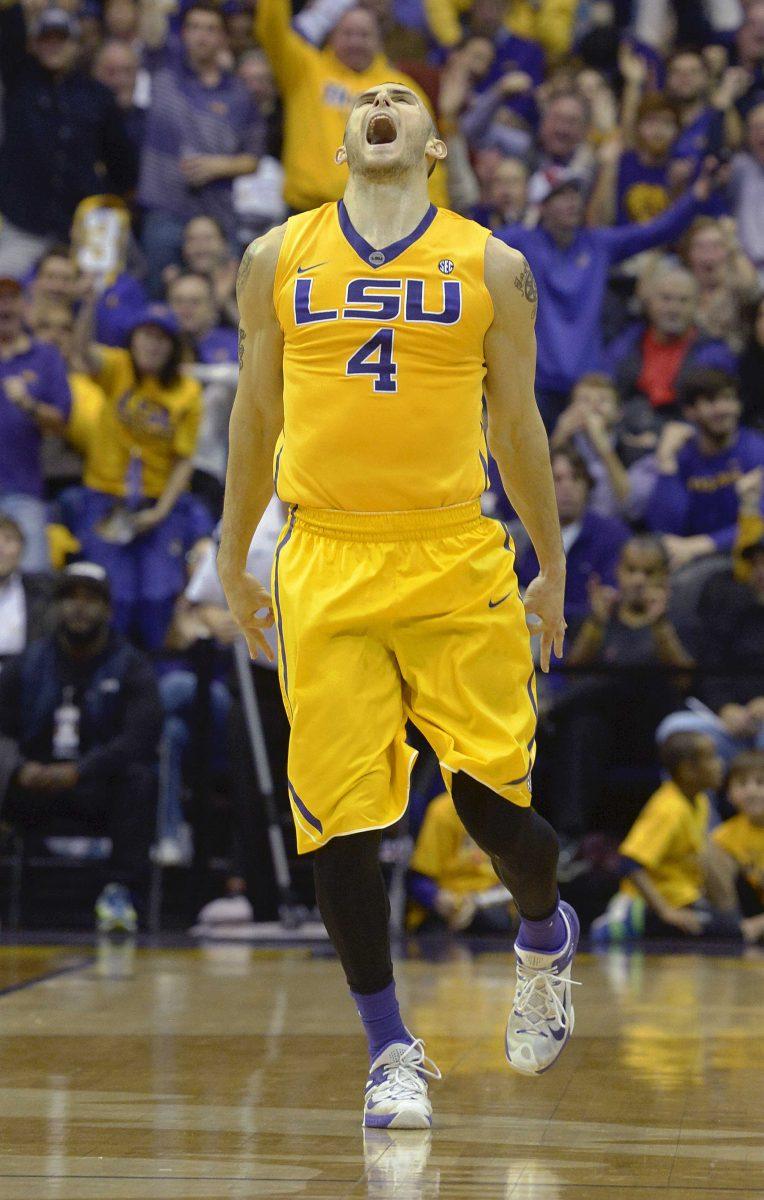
(318, 89)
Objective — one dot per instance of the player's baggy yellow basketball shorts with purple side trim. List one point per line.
(387, 617)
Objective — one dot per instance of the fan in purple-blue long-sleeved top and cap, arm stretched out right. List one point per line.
(572, 265)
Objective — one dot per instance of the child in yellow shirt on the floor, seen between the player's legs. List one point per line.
(453, 878)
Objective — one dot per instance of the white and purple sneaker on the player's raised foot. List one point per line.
(543, 1016)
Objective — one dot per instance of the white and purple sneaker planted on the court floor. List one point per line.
(396, 1091)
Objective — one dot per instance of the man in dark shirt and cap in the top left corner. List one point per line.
(65, 137)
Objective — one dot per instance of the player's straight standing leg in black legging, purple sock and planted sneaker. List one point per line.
(354, 905)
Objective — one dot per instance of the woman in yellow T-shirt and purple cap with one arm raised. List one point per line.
(133, 517)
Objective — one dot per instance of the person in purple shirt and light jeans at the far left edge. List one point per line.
(35, 399)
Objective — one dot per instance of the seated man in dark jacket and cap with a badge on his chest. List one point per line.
(80, 725)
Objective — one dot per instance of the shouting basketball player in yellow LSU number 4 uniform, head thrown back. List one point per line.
(369, 332)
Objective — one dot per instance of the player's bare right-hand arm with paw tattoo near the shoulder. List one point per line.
(518, 437)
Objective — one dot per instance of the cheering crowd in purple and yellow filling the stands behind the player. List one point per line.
(618, 145)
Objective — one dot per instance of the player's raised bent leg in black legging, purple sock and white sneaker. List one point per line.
(525, 851)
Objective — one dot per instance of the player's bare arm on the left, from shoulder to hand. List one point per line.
(256, 422)
